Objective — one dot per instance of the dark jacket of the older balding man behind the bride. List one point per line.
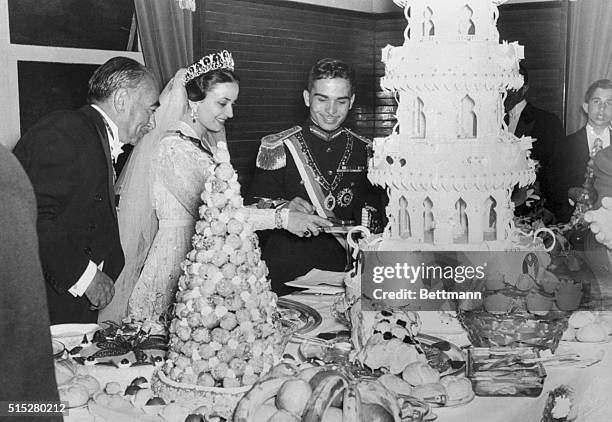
(67, 157)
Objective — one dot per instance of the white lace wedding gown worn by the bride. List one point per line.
(178, 176)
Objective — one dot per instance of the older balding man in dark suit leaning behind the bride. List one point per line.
(68, 157)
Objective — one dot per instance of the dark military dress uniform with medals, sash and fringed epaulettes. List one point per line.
(338, 161)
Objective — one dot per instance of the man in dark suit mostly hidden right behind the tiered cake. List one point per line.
(524, 119)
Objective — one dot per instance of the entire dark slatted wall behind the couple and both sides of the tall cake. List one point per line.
(275, 42)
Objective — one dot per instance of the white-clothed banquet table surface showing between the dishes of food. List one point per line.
(592, 385)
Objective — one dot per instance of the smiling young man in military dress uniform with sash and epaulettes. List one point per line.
(319, 167)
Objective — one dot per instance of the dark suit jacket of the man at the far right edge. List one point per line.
(569, 166)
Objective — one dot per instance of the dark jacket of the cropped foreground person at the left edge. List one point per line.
(26, 362)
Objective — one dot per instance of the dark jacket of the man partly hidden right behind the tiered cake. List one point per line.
(548, 131)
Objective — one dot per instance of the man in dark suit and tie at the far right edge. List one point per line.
(574, 152)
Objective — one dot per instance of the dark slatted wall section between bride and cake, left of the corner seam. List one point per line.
(274, 43)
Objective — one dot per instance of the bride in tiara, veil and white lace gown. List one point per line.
(161, 186)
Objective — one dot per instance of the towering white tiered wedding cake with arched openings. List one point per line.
(450, 164)
